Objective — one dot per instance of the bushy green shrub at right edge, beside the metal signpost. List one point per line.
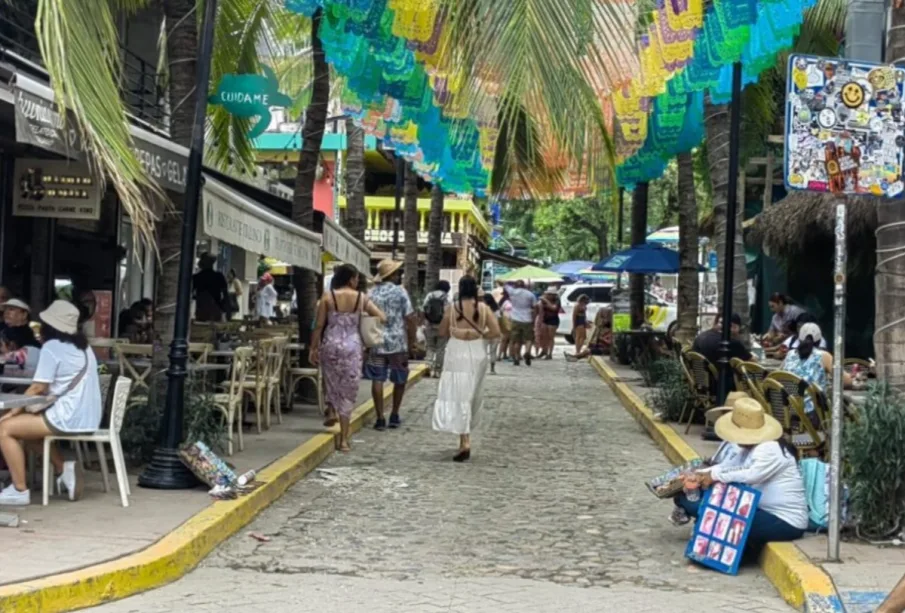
(876, 465)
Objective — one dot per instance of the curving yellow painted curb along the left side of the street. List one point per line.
(180, 551)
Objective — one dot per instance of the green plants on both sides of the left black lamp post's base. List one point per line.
(203, 421)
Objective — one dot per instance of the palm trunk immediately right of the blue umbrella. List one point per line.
(688, 250)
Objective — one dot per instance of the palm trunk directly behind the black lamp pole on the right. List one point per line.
(716, 122)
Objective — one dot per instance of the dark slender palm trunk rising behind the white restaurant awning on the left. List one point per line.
(305, 281)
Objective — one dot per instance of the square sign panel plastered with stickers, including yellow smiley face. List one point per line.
(845, 127)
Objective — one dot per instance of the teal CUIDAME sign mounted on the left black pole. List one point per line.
(250, 95)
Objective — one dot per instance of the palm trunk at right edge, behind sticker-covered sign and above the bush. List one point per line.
(889, 338)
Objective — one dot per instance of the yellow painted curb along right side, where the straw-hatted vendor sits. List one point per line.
(798, 580)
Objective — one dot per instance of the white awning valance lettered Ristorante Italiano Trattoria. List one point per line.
(231, 217)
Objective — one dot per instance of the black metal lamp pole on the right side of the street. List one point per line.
(729, 248)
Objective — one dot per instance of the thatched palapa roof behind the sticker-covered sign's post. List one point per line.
(788, 227)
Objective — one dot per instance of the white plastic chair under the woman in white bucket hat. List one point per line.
(109, 436)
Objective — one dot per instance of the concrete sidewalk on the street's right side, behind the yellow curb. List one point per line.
(866, 572)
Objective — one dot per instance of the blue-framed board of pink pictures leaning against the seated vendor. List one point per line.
(724, 522)
